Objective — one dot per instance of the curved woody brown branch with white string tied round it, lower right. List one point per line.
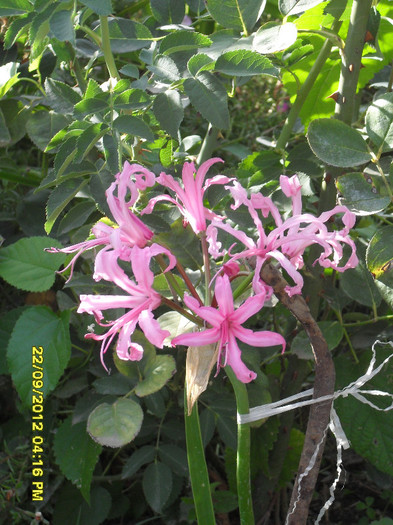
(319, 416)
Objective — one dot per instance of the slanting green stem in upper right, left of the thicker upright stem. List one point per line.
(305, 90)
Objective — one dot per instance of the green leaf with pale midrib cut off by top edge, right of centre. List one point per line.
(236, 14)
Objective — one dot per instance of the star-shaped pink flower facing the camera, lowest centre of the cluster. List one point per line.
(227, 326)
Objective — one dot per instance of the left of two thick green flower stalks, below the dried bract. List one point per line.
(197, 465)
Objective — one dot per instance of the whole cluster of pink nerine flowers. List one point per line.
(129, 243)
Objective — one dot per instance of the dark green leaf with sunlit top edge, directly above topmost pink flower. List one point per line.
(169, 112)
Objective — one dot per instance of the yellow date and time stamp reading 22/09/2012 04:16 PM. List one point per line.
(37, 424)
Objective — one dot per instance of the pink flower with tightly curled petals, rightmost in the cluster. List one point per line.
(287, 242)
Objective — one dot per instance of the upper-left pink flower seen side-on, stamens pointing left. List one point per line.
(128, 230)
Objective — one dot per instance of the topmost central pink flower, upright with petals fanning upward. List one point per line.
(191, 195)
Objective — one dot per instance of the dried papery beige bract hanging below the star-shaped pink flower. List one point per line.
(199, 364)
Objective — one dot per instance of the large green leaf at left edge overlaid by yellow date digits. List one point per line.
(38, 327)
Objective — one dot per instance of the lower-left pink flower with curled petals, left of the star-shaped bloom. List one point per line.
(140, 301)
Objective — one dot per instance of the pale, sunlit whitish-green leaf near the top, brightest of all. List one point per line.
(270, 39)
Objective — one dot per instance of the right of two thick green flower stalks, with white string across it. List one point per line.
(243, 477)
